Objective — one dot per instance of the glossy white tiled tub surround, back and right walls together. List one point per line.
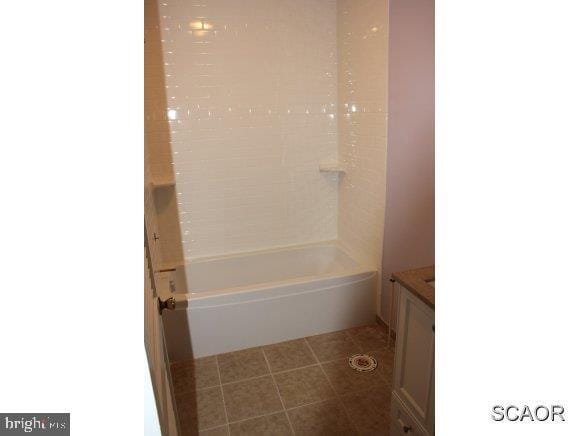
(255, 90)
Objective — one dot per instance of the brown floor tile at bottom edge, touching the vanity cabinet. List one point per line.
(369, 411)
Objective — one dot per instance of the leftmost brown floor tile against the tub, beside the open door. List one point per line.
(191, 374)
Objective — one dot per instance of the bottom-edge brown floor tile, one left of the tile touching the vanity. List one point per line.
(327, 418)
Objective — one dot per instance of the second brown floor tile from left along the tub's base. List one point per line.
(240, 365)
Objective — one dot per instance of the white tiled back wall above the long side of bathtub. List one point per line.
(251, 102)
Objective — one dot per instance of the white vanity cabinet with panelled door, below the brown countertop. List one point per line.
(413, 405)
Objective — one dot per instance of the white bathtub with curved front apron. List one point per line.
(233, 302)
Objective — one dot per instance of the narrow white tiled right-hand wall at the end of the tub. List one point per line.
(362, 66)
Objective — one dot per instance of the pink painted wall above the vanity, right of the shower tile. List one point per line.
(409, 238)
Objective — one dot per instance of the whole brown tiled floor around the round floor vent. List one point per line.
(299, 387)
